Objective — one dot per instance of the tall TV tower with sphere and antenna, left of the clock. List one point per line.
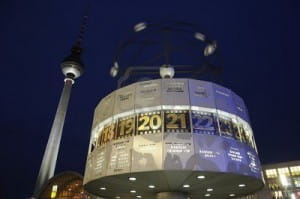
(72, 67)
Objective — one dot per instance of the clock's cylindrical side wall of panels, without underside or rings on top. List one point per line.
(173, 124)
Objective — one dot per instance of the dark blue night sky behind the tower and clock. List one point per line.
(260, 51)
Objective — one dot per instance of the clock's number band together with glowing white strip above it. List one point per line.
(180, 119)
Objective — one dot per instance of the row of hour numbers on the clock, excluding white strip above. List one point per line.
(175, 121)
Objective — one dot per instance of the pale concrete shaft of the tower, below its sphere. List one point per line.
(50, 155)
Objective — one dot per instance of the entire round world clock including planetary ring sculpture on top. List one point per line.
(171, 138)
